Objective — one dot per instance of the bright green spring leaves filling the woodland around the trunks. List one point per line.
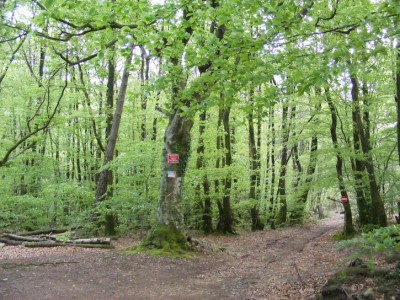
(269, 49)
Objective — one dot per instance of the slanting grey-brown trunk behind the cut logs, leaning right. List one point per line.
(106, 175)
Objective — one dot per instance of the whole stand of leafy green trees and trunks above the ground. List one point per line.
(213, 115)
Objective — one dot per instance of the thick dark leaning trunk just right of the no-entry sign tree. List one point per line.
(377, 209)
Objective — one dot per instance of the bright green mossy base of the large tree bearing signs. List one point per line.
(164, 240)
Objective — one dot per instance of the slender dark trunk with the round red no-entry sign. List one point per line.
(348, 228)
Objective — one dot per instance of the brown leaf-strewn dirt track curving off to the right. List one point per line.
(291, 263)
